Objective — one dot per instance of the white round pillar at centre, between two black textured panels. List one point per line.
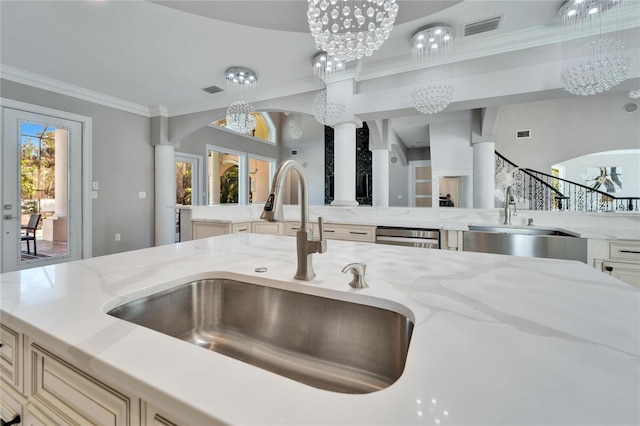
(344, 165)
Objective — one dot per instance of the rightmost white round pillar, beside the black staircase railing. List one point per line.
(483, 175)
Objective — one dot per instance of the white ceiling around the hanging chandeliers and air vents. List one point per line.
(153, 54)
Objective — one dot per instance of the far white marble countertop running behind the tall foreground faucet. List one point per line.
(605, 226)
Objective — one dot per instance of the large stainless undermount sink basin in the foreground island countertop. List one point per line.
(326, 343)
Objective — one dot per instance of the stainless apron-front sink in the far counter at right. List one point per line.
(525, 241)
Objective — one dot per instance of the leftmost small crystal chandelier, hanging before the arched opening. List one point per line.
(241, 83)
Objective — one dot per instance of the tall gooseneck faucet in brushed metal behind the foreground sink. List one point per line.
(306, 245)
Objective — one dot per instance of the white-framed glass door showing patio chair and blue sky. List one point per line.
(41, 190)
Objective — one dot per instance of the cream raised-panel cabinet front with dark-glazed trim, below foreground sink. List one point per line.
(62, 391)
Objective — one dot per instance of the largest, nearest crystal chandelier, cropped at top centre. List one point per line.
(350, 29)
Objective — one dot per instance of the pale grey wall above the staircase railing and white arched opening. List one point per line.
(566, 128)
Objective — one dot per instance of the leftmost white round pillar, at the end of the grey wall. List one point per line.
(165, 194)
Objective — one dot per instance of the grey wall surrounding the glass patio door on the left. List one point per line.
(122, 165)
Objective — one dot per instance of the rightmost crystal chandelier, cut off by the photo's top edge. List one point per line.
(594, 60)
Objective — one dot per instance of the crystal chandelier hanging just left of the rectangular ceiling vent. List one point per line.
(432, 90)
